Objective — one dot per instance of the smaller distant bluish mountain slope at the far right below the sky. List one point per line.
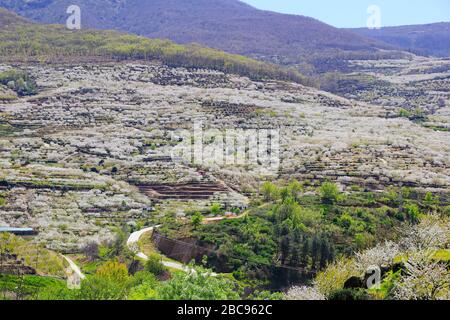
(428, 39)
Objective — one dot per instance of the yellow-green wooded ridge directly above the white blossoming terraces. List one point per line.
(23, 41)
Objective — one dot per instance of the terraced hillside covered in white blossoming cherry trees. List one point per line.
(94, 148)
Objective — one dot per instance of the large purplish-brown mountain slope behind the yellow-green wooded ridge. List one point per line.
(228, 25)
